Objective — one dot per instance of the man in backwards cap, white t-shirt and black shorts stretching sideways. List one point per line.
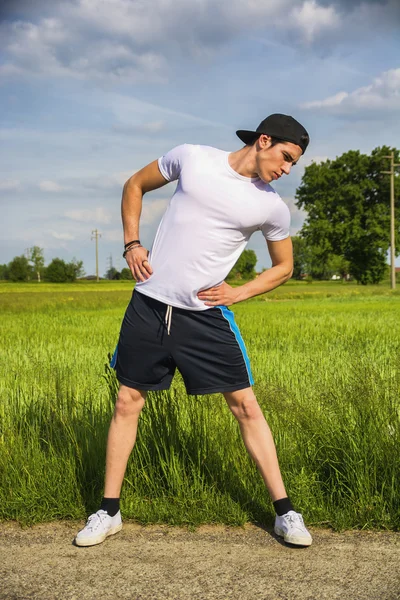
(178, 315)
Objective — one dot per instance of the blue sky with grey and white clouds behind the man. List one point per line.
(93, 90)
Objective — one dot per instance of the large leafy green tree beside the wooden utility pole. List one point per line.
(347, 201)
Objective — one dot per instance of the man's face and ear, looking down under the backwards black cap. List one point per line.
(275, 161)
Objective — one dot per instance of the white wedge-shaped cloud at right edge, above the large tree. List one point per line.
(382, 94)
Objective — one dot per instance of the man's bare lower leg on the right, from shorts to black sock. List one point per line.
(257, 438)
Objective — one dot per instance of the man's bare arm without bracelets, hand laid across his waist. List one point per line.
(282, 268)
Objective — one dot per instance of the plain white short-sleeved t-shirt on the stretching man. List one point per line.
(207, 224)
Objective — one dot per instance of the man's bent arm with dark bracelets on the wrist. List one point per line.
(147, 179)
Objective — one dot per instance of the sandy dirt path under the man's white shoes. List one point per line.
(160, 563)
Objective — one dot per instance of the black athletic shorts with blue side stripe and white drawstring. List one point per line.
(206, 347)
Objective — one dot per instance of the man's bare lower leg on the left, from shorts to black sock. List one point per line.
(122, 437)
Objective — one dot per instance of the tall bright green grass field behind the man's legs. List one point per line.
(325, 358)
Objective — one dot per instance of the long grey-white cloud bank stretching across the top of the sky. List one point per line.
(132, 41)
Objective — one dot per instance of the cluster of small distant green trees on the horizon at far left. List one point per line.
(30, 267)
